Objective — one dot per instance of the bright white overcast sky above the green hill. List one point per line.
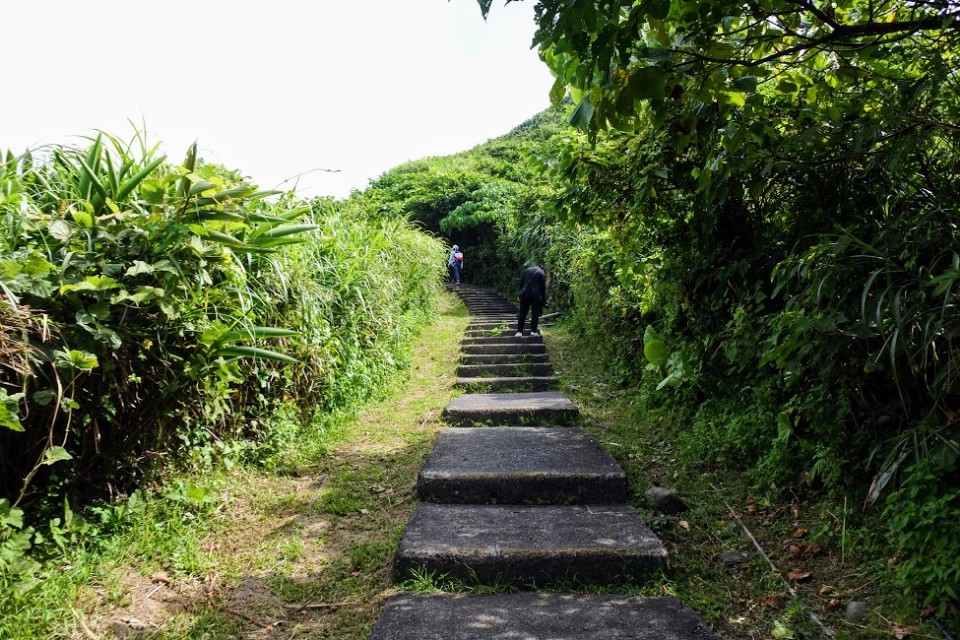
(275, 89)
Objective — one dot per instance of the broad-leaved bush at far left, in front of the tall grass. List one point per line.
(130, 295)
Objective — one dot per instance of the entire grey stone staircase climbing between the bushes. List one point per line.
(515, 492)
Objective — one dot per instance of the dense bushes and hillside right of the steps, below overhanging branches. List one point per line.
(798, 303)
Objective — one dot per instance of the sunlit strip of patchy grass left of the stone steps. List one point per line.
(309, 546)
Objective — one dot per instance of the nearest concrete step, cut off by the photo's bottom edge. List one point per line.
(536, 616)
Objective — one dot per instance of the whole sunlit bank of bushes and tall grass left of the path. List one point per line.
(157, 316)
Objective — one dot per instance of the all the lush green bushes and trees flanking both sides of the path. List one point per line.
(754, 220)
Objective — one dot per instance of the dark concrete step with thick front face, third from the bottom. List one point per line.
(521, 465)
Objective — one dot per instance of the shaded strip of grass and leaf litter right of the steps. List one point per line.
(821, 553)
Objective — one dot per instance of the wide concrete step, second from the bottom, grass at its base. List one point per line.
(530, 545)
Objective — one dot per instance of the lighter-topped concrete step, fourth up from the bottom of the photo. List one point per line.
(540, 408)
